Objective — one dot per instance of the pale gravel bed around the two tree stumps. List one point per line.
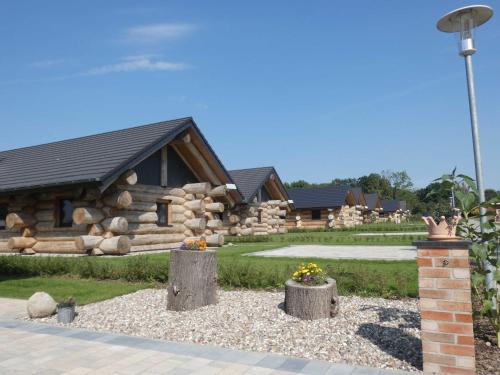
(367, 331)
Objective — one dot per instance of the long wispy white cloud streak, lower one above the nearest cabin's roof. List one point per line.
(137, 63)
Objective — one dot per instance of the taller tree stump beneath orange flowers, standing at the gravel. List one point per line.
(192, 279)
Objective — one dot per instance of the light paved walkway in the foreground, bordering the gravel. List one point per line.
(33, 348)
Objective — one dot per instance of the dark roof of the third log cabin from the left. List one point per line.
(333, 196)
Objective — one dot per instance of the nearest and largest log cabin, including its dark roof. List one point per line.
(137, 189)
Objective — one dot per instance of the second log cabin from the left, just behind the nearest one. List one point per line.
(265, 203)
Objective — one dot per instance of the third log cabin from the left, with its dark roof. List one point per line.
(331, 207)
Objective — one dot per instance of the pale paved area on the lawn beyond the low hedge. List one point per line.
(342, 252)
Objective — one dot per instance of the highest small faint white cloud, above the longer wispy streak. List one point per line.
(158, 32)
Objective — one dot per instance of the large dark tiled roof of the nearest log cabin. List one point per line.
(97, 159)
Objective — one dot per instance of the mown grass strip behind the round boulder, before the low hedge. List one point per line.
(84, 291)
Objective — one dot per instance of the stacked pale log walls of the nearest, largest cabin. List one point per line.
(122, 219)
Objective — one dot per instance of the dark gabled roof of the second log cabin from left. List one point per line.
(250, 180)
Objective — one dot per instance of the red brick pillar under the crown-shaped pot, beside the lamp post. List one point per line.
(445, 307)
